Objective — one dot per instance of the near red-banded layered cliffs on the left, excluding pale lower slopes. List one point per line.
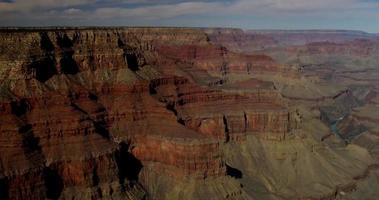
(83, 111)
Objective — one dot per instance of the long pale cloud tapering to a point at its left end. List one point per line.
(235, 8)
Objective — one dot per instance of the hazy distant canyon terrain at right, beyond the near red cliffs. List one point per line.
(333, 74)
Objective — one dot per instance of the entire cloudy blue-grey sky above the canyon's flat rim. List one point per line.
(247, 14)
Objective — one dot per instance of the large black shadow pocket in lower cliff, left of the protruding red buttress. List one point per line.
(129, 166)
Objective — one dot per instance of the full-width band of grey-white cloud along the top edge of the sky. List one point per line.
(171, 8)
